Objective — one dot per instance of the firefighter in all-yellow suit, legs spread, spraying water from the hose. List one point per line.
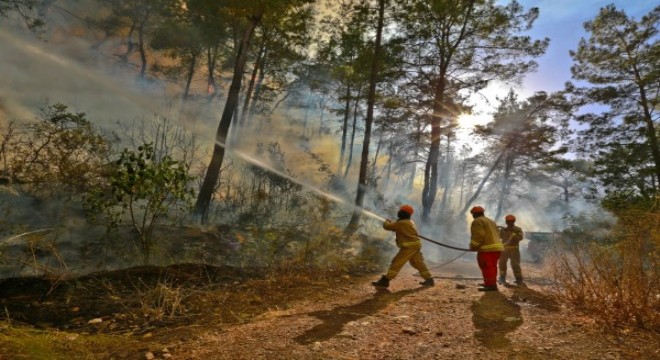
(410, 246)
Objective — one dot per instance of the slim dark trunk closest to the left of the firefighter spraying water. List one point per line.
(371, 100)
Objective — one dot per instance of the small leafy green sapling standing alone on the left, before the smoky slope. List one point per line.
(145, 189)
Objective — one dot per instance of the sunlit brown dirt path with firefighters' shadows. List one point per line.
(449, 321)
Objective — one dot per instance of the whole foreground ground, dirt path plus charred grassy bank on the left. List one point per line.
(201, 312)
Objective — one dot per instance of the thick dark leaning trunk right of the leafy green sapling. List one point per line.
(213, 172)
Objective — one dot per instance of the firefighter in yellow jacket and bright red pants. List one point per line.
(485, 240)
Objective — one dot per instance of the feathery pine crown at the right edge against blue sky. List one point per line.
(620, 62)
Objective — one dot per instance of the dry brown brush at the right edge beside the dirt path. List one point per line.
(617, 278)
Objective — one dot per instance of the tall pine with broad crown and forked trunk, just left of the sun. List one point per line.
(470, 43)
